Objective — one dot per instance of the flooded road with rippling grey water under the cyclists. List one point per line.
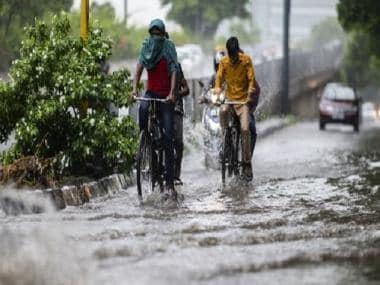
(311, 216)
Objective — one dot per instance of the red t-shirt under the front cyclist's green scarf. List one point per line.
(159, 79)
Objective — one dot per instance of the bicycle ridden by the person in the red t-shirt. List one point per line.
(149, 159)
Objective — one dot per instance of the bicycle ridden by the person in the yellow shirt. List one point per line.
(230, 154)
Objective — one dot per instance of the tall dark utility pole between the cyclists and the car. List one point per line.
(285, 64)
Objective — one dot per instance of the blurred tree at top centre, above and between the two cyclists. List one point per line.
(203, 17)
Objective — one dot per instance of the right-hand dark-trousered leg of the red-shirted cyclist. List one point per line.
(166, 120)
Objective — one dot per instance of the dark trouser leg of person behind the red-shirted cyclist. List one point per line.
(178, 144)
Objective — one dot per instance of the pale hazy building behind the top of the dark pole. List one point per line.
(304, 15)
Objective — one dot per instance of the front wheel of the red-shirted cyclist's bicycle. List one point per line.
(144, 165)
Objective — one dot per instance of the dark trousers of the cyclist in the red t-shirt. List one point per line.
(165, 117)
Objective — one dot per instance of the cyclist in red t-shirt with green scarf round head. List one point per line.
(159, 57)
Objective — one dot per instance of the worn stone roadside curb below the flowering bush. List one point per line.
(28, 202)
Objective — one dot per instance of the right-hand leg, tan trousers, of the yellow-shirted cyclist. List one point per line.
(243, 114)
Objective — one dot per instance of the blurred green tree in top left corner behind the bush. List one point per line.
(14, 15)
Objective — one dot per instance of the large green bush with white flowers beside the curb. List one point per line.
(55, 76)
